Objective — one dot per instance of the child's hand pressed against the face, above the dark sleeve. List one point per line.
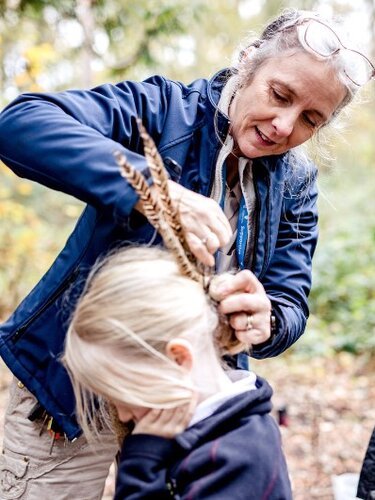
(165, 423)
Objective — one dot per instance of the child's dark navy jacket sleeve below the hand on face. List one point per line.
(142, 471)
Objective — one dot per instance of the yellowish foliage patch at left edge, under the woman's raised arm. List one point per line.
(34, 224)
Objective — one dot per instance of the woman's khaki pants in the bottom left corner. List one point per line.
(72, 471)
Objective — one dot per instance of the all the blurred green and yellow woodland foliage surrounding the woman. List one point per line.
(64, 43)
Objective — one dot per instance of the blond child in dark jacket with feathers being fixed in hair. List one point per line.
(148, 339)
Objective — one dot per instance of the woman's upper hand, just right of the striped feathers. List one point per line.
(205, 225)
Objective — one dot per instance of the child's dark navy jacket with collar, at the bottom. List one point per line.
(235, 454)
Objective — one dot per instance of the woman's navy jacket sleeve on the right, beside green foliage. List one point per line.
(287, 280)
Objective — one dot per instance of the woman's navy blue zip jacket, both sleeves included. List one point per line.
(66, 141)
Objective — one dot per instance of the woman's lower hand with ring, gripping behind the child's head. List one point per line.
(244, 300)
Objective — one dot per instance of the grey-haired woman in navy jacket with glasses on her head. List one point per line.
(231, 139)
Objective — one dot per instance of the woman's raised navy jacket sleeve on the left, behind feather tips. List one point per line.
(66, 140)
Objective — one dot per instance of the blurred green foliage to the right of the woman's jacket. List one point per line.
(343, 295)
